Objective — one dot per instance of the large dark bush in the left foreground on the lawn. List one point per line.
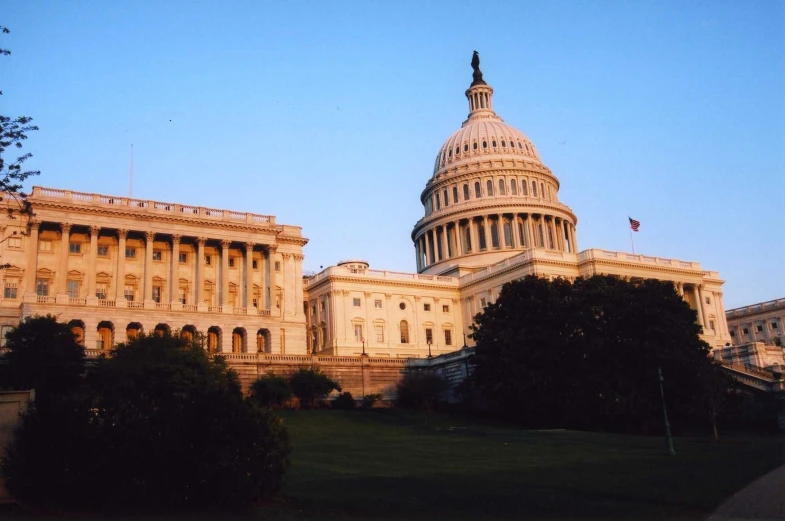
(159, 424)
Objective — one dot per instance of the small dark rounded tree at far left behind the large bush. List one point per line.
(43, 355)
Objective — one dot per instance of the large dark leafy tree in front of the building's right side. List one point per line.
(585, 354)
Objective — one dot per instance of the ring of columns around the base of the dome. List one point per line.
(483, 233)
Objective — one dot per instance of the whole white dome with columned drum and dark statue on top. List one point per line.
(509, 198)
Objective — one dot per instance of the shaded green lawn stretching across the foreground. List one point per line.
(389, 464)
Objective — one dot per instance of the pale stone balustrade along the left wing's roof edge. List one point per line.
(148, 206)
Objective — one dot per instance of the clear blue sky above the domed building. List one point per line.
(329, 114)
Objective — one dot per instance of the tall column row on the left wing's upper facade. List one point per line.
(117, 297)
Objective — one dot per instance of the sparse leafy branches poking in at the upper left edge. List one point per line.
(13, 132)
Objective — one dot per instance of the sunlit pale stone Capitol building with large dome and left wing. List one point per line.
(114, 266)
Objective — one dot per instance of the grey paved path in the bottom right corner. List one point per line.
(763, 499)
